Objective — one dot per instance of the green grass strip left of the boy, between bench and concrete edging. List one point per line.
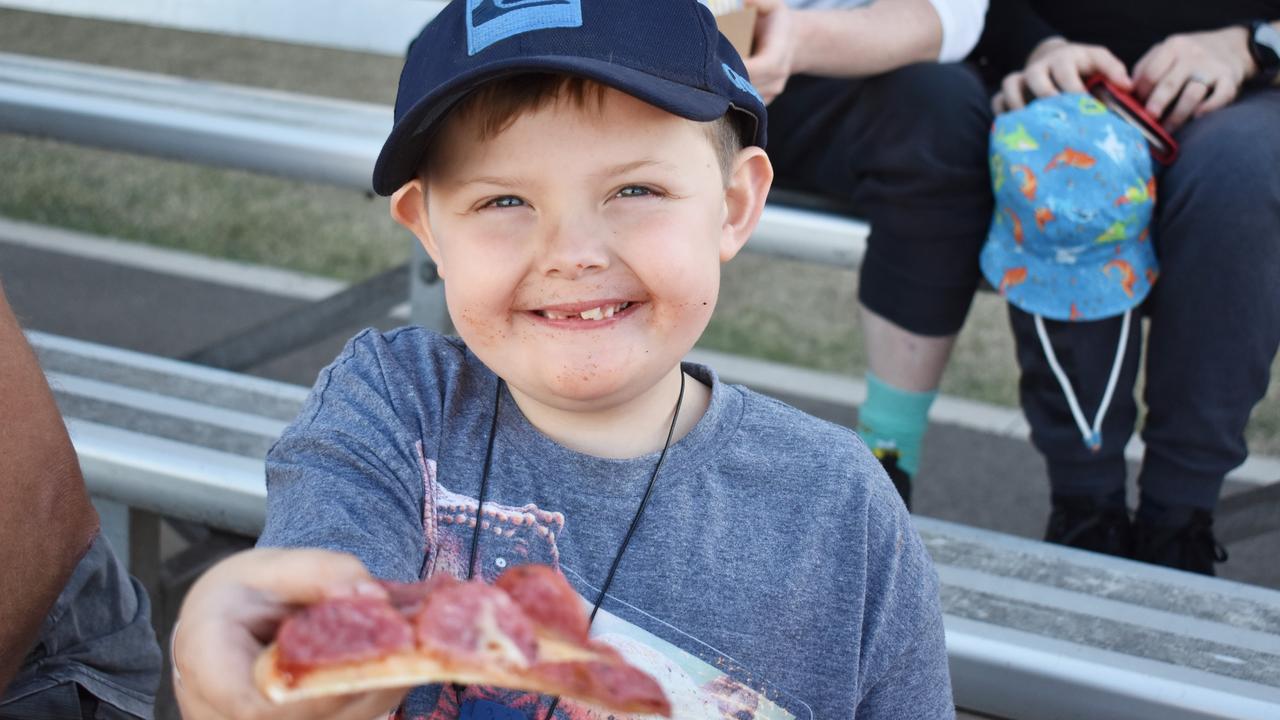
(222, 213)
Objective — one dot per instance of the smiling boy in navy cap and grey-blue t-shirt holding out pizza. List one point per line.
(751, 558)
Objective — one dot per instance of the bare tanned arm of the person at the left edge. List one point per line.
(47, 522)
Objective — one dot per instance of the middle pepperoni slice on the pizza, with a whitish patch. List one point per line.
(476, 621)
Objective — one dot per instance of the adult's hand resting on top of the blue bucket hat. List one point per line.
(1058, 66)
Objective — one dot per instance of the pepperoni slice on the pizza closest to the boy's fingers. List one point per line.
(342, 631)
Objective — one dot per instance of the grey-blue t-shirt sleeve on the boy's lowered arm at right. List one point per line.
(904, 673)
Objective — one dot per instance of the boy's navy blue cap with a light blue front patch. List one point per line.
(668, 53)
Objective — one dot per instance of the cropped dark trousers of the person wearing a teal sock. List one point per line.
(908, 152)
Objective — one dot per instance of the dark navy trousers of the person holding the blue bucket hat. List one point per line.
(1214, 325)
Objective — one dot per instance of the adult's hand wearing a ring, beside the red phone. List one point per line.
(1188, 76)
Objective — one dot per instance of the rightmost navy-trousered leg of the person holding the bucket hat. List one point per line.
(1217, 308)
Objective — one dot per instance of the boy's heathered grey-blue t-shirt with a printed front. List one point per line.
(775, 573)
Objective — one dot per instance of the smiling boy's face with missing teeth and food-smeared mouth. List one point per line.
(582, 247)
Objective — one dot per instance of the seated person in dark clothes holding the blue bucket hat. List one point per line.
(1209, 74)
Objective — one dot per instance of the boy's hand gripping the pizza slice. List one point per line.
(232, 613)
